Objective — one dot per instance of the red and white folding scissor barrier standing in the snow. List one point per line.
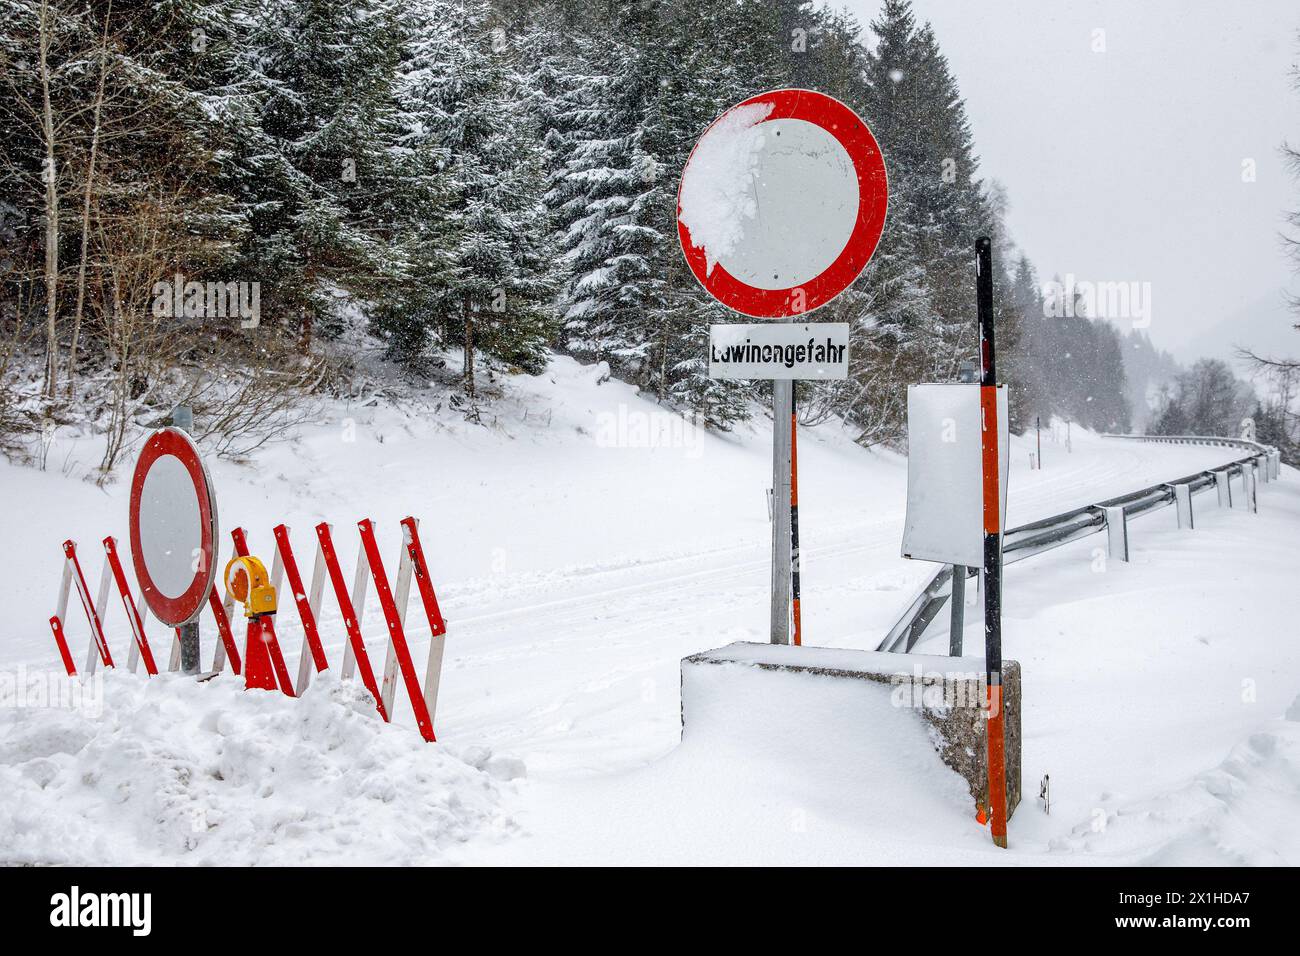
(263, 663)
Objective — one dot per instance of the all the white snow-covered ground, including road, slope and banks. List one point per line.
(582, 544)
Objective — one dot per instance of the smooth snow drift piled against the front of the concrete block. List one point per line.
(773, 769)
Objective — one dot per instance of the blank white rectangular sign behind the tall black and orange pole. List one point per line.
(946, 487)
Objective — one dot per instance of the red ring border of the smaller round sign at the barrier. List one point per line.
(175, 612)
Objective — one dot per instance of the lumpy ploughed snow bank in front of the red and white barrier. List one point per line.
(176, 772)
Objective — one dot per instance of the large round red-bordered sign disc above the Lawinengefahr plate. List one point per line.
(782, 204)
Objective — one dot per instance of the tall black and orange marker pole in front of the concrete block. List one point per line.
(996, 729)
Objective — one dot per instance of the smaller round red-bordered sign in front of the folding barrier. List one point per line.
(174, 527)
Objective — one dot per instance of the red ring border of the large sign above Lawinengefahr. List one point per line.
(856, 139)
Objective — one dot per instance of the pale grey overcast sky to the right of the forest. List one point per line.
(1128, 165)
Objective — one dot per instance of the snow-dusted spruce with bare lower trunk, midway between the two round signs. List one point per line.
(465, 97)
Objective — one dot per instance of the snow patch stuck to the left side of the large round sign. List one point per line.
(717, 187)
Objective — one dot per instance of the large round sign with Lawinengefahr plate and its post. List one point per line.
(781, 207)
